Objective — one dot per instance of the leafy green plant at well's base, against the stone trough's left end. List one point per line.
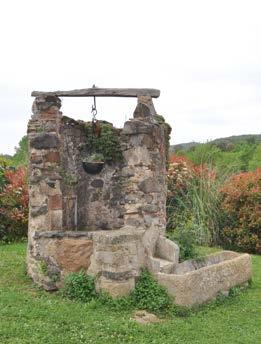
(149, 295)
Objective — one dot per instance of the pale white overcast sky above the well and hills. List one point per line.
(204, 56)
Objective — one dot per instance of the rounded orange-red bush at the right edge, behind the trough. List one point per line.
(241, 208)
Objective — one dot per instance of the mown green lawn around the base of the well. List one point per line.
(30, 315)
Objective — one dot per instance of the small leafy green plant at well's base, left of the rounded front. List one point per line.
(79, 287)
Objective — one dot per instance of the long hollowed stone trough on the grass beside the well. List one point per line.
(200, 280)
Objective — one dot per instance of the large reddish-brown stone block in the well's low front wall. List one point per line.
(73, 255)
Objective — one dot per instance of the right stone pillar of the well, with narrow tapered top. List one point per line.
(146, 168)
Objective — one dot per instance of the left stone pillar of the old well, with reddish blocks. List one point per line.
(45, 196)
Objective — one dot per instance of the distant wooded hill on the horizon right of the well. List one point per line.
(224, 143)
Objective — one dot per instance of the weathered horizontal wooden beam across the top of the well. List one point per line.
(102, 92)
